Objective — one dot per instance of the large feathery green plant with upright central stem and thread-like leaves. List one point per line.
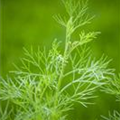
(49, 83)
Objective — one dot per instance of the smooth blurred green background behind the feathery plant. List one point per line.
(26, 23)
